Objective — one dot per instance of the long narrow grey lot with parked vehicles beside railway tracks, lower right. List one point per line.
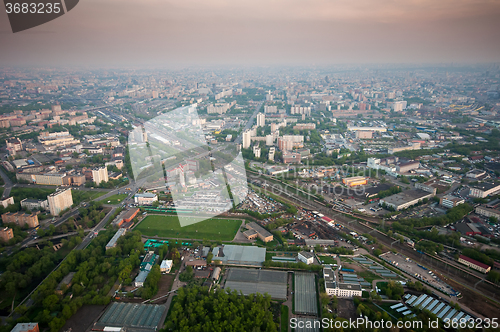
(417, 271)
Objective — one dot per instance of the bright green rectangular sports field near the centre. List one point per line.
(169, 227)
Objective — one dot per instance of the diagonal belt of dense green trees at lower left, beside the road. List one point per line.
(95, 275)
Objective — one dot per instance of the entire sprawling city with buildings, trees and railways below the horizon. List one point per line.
(264, 199)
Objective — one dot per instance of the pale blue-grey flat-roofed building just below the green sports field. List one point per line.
(239, 255)
